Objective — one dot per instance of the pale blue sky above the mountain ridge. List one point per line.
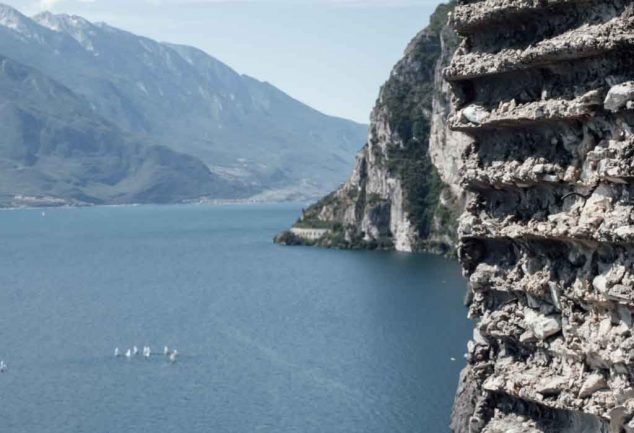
(330, 54)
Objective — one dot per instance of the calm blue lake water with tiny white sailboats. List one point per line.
(272, 339)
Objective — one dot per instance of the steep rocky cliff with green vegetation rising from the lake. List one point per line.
(396, 196)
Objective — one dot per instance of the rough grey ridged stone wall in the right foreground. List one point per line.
(546, 90)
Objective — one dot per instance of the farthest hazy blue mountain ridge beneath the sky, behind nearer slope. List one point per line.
(242, 129)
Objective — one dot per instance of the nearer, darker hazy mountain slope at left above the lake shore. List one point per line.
(54, 149)
